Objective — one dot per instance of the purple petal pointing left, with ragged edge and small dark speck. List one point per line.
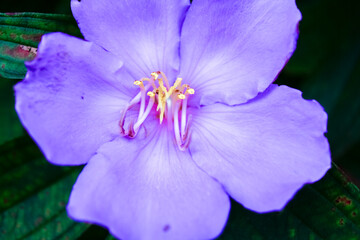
(71, 98)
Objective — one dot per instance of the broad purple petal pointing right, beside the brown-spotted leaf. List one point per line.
(263, 151)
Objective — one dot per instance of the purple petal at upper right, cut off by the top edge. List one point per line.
(232, 50)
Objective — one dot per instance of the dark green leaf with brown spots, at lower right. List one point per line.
(328, 209)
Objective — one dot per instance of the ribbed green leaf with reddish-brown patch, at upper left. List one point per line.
(20, 34)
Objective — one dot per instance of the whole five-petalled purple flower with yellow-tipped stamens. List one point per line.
(172, 108)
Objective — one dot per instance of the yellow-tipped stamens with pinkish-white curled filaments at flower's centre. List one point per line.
(169, 99)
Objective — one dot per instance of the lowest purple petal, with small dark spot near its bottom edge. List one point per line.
(148, 189)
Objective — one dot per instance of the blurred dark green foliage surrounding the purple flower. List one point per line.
(325, 66)
